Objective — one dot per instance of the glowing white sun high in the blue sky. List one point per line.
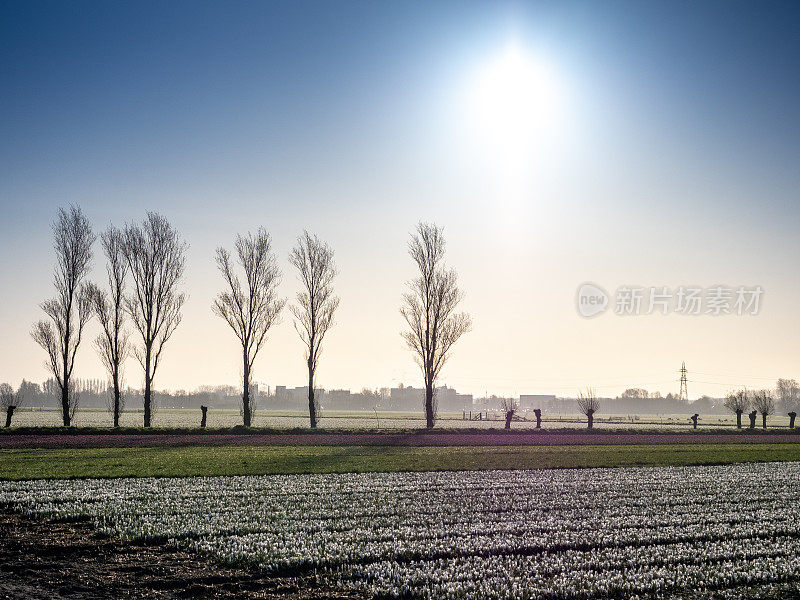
(513, 101)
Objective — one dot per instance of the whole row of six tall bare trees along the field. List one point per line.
(145, 264)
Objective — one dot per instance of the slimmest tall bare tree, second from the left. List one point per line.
(113, 344)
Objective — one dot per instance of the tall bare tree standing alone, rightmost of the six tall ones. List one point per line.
(429, 308)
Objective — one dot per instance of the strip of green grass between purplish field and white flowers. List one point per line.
(263, 460)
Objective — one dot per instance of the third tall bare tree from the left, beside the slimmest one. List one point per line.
(156, 257)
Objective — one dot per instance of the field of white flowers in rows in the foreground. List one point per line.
(594, 533)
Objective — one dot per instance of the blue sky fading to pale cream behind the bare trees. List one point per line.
(626, 144)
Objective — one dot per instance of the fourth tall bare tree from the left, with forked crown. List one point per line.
(251, 310)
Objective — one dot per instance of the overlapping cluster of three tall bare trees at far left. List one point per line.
(153, 256)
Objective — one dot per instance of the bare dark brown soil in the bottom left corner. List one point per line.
(45, 560)
